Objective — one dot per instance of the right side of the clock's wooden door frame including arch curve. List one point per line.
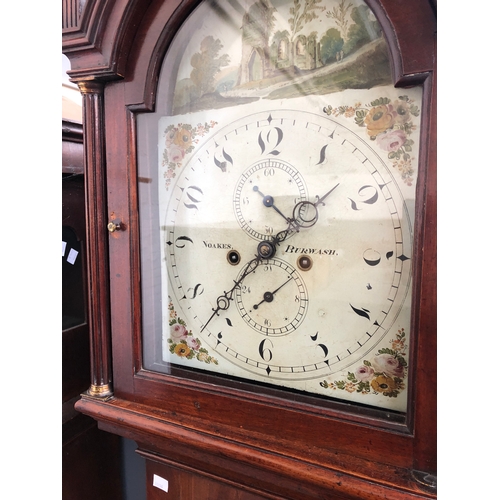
(412, 36)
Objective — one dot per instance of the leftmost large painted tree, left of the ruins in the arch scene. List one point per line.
(206, 64)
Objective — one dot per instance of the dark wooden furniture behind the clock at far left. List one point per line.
(91, 465)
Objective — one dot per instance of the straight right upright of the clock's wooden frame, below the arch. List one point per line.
(423, 393)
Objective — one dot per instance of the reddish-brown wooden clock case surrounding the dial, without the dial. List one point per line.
(200, 435)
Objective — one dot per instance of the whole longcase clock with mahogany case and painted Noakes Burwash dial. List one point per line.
(261, 205)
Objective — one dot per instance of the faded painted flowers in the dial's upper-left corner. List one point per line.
(179, 141)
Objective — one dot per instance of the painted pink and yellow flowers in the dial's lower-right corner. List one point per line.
(384, 374)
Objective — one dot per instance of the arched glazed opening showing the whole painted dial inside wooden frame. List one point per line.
(283, 229)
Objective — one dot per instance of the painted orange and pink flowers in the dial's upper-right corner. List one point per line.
(388, 123)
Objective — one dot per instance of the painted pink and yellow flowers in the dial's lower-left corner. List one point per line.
(182, 341)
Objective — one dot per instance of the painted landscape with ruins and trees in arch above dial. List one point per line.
(244, 50)
